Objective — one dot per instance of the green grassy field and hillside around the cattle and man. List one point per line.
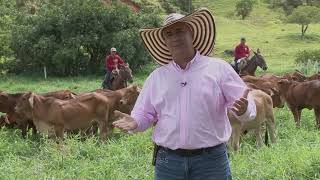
(295, 156)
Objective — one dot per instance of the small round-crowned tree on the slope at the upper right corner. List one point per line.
(305, 15)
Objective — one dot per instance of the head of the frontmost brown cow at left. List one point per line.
(26, 104)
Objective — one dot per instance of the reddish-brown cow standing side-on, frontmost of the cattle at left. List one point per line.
(54, 116)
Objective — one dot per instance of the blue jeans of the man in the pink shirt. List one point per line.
(211, 165)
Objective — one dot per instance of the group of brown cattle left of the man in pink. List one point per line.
(62, 111)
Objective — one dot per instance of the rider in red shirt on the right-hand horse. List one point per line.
(241, 51)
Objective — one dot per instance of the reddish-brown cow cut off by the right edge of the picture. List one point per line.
(300, 95)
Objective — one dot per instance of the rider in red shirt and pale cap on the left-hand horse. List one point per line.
(112, 62)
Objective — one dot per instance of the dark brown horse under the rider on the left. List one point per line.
(120, 78)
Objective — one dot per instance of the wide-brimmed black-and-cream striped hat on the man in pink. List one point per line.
(202, 25)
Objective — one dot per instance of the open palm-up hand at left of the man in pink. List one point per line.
(125, 122)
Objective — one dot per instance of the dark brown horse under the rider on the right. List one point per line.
(250, 65)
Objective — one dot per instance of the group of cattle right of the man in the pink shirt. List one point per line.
(270, 91)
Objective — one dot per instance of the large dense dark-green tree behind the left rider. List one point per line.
(73, 38)
